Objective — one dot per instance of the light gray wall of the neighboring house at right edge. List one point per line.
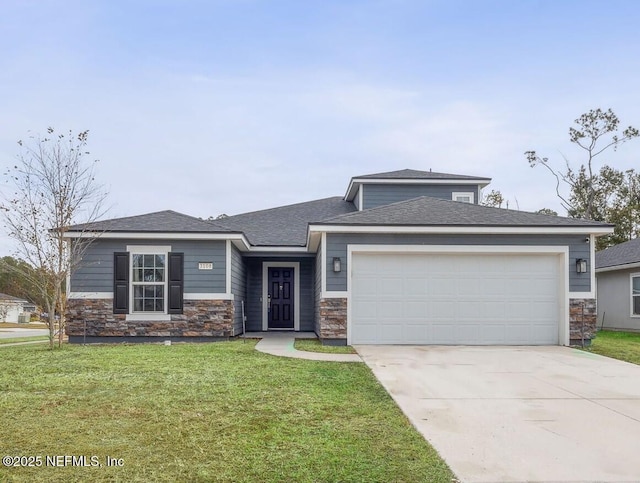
(614, 300)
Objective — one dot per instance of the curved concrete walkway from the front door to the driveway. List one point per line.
(281, 344)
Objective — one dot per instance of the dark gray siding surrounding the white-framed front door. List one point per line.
(254, 292)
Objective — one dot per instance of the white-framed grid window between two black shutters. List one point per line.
(149, 282)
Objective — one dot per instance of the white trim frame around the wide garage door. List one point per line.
(561, 251)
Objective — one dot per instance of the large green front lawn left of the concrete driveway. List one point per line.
(204, 412)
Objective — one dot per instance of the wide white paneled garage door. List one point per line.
(474, 299)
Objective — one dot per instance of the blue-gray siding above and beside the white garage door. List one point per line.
(337, 247)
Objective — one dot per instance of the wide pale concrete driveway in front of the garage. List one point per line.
(518, 413)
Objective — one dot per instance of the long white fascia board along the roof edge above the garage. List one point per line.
(489, 230)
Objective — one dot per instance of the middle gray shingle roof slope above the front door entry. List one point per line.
(285, 225)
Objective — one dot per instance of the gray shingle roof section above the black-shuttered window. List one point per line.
(160, 221)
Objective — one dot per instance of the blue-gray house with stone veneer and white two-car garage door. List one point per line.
(404, 257)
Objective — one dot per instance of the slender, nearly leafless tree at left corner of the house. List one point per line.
(54, 188)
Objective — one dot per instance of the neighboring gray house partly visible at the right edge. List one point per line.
(618, 278)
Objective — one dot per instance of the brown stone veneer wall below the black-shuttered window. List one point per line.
(200, 318)
